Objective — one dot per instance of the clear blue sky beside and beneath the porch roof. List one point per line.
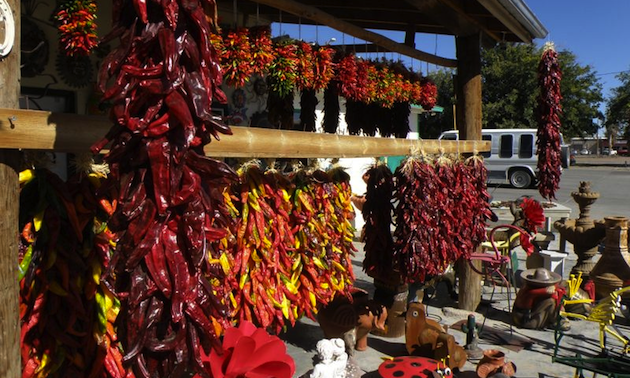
(596, 32)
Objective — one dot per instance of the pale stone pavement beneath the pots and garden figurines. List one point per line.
(530, 350)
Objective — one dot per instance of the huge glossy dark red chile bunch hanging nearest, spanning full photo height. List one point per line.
(171, 213)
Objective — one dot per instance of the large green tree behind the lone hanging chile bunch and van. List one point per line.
(510, 86)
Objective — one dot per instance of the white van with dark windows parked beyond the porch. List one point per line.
(512, 157)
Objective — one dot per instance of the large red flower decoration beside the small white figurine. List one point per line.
(251, 352)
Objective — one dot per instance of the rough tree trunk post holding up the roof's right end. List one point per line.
(468, 91)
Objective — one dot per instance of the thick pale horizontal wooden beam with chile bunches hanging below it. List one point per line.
(31, 129)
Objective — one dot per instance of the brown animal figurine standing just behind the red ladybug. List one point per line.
(428, 338)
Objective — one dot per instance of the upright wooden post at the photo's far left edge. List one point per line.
(10, 366)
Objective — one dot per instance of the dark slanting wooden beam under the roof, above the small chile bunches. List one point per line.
(315, 14)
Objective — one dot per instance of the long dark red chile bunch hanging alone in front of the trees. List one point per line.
(548, 111)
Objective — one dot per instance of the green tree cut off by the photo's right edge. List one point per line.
(618, 107)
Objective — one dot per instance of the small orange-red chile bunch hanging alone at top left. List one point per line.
(77, 27)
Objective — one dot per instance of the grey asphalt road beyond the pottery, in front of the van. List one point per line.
(611, 182)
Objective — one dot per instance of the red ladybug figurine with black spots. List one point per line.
(414, 366)
